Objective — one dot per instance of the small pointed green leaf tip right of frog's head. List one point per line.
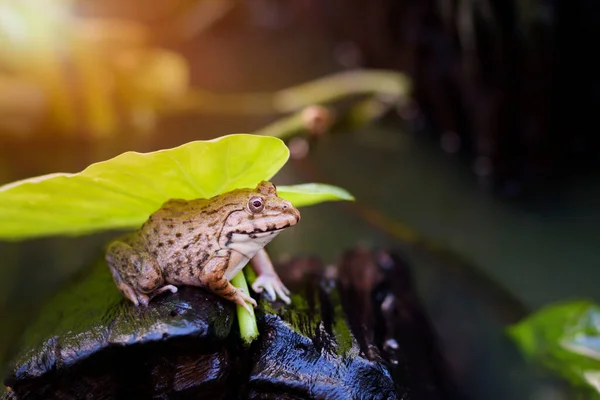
(312, 193)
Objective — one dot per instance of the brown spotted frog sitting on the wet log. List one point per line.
(204, 243)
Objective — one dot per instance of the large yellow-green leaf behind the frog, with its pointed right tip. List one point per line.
(122, 192)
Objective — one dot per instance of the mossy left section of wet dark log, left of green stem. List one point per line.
(89, 342)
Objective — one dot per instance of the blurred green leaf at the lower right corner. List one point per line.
(565, 338)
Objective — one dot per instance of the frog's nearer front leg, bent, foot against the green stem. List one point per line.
(213, 277)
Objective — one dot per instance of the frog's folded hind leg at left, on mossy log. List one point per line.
(137, 275)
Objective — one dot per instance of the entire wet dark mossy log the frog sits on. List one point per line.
(353, 331)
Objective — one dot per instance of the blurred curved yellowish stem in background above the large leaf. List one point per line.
(382, 89)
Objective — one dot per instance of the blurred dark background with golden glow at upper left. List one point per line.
(488, 178)
